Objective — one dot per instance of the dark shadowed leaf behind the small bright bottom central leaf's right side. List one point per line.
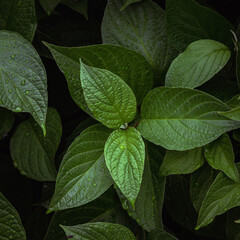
(148, 205)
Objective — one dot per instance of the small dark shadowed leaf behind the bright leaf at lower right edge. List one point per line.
(200, 182)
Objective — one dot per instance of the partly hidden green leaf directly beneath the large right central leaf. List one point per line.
(182, 162)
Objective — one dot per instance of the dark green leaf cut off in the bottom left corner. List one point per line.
(10, 222)
